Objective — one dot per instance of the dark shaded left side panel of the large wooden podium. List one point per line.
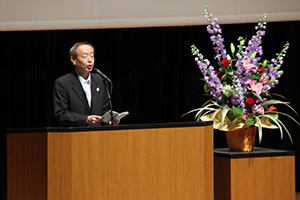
(27, 166)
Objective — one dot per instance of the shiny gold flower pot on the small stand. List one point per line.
(241, 139)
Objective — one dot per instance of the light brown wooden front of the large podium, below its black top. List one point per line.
(173, 163)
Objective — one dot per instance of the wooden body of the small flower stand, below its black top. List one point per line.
(256, 178)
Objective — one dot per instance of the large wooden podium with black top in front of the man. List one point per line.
(149, 162)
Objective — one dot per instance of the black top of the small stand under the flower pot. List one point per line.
(257, 152)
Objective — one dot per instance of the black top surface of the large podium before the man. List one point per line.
(107, 127)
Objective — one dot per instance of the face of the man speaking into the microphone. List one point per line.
(85, 60)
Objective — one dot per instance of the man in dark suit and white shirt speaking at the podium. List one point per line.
(80, 97)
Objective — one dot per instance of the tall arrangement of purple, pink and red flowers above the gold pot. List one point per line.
(240, 87)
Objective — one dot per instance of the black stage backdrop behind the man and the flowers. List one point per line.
(154, 74)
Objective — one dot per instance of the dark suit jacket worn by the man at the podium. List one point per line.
(70, 103)
